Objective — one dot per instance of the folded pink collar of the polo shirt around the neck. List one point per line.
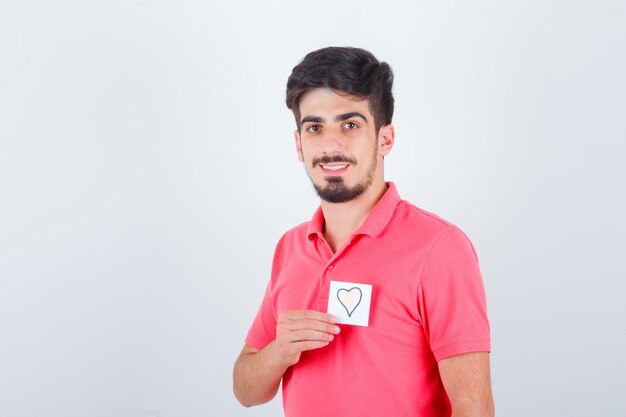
(375, 222)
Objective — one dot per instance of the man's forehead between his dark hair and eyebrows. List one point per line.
(325, 101)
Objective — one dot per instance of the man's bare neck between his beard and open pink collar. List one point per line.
(341, 220)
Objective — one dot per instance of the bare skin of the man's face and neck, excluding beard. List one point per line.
(355, 138)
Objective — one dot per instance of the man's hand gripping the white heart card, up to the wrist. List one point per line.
(301, 330)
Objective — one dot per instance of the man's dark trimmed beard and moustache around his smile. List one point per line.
(335, 189)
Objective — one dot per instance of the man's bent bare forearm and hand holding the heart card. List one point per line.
(257, 373)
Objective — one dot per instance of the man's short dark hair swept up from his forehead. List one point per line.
(350, 71)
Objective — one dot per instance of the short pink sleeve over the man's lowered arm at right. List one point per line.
(451, 298)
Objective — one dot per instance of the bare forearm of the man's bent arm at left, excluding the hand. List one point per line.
(257, 376)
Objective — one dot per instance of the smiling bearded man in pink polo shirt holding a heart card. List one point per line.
(422, 348)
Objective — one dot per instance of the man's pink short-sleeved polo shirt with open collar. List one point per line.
(428, 303)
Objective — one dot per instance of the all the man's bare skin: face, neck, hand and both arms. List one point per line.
(340, 126)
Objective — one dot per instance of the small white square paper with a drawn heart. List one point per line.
(350, 302)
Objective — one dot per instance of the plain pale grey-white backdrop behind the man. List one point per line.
(147, 170)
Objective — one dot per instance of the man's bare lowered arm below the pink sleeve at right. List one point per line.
(466, 378)
